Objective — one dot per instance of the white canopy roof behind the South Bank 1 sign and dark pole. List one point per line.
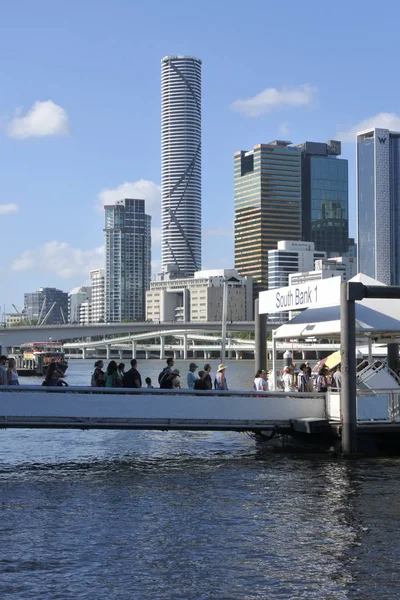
(379, 318)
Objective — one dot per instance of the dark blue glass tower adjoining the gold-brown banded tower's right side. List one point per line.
(325, 200)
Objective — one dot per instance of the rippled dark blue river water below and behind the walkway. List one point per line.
(191, 515)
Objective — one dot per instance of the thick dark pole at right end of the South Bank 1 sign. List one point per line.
(348, 395)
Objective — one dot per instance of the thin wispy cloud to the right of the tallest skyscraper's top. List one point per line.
(271, 98)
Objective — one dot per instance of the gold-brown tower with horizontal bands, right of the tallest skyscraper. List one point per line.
(267, 205)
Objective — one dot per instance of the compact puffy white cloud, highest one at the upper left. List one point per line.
(42, 119)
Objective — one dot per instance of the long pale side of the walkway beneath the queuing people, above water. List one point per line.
(99, 408)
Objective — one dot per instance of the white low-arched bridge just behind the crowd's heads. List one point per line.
(195, 343)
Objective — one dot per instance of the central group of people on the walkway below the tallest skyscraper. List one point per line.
(115, 376)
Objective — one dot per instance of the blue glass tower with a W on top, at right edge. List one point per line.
(378, 204)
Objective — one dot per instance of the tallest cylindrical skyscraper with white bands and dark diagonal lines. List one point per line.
(181, 163)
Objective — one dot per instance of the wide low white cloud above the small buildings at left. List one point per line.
(59, 258)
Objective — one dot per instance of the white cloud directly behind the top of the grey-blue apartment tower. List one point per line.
(143, 189)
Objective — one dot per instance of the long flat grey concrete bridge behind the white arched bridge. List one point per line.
(13, 336)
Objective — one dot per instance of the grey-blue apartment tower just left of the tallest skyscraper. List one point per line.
(128, 259)
